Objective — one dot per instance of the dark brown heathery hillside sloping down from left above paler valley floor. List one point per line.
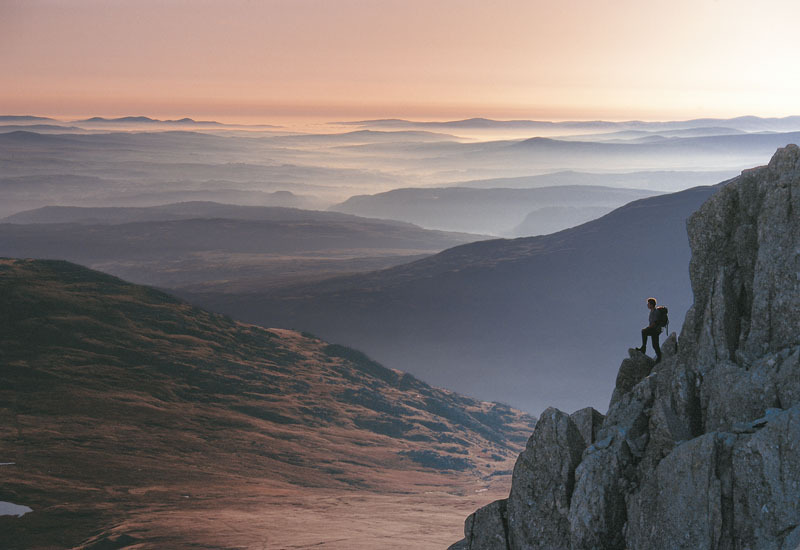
(117, 399)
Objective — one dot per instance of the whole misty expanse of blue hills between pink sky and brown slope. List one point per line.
(355, 232)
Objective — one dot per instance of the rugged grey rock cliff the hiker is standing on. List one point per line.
(700, 451)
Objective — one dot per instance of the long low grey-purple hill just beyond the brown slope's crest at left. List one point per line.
(202, 245)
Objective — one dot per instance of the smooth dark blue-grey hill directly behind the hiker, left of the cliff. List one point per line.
(512, 308)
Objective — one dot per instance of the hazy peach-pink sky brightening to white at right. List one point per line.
(424, 59)
